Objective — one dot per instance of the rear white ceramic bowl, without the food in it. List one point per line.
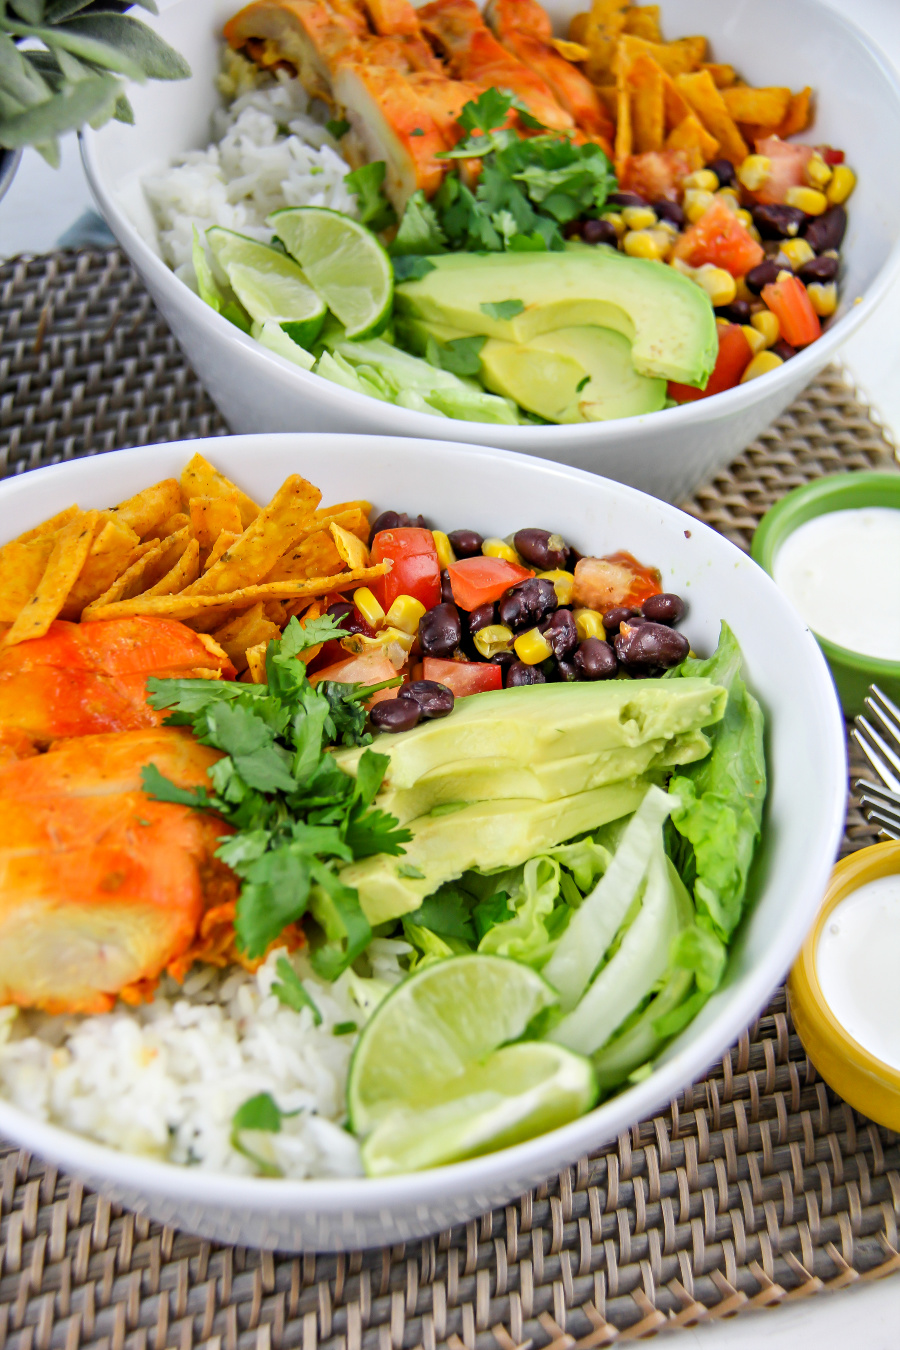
(666, 454)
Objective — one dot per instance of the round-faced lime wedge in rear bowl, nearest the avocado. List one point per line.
(343, 261)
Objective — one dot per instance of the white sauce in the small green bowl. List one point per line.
(843, 573)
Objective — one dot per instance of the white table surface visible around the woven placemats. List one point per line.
(44, 203)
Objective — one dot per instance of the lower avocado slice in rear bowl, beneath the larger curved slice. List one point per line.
(571, 376)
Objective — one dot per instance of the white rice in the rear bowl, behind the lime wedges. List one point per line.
(266, 153)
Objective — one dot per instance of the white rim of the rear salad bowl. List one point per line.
(411, 423)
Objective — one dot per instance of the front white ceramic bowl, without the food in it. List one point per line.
(459, 485)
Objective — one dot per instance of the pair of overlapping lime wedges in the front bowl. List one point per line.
(434, 1079)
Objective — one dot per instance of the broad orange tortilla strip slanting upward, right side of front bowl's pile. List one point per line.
(275, 530)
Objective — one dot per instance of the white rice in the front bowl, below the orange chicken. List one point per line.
(165, 1079)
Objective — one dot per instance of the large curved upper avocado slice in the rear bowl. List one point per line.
(667, 318)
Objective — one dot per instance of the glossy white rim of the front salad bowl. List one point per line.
(549, 1152)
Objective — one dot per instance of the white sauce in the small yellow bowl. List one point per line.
(859, 961)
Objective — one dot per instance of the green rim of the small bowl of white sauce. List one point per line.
(822, 497)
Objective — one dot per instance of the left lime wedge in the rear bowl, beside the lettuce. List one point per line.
(269, 284)
